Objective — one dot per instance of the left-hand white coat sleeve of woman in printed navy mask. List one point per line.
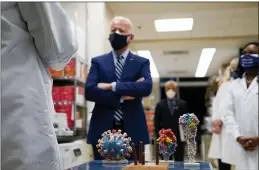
(227, 110)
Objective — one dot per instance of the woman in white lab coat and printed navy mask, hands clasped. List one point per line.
(240, 110)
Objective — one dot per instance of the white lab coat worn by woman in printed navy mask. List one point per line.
(241, 119)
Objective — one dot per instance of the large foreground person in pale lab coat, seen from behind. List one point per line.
(35, 36)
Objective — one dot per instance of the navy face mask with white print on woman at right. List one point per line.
(249, 61)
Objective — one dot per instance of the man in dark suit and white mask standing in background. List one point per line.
(167, 114)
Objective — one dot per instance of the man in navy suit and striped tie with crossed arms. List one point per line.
(117, 81)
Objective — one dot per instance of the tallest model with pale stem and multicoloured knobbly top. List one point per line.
(189, 123)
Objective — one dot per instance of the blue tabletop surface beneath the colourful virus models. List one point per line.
(98, 165)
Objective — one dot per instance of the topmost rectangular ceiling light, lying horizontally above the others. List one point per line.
(180, 24)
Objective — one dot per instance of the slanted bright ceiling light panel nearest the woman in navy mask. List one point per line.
(204, 62)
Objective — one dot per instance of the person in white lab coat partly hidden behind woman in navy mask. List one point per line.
(221, 143)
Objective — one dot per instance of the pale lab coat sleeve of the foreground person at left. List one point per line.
(51, 30)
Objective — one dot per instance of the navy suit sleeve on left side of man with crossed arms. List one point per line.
(95, 94)
